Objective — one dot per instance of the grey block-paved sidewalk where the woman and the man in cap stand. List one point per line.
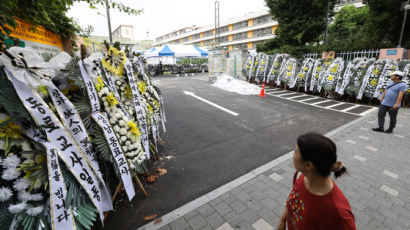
(377, 185)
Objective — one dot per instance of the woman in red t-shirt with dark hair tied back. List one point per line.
(315, 201)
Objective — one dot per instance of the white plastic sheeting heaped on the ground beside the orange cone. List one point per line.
(235, 85)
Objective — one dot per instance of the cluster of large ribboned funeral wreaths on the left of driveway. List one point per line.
(67, 127)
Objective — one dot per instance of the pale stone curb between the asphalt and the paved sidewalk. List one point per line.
(183, 210)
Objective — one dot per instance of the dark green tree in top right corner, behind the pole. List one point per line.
(386, 20)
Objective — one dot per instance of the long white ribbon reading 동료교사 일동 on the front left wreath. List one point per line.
(61, 139)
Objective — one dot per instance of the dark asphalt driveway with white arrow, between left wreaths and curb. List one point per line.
(206, 147)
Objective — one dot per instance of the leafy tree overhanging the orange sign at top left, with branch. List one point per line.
(50, 14)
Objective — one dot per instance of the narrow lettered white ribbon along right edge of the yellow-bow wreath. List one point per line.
(142, 121)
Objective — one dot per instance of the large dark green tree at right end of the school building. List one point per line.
(299, 22)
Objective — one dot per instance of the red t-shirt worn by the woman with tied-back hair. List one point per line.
(307, 211)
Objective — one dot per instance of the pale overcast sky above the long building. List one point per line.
(162, 16)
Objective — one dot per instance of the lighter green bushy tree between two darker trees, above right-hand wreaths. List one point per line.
(350, 29)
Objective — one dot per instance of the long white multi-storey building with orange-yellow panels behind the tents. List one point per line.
(243, 33)
